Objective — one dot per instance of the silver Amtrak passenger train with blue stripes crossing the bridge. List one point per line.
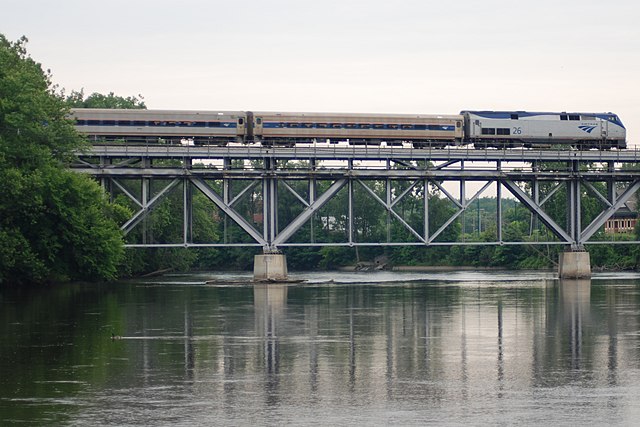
(480, 129)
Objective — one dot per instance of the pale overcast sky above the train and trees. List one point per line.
(344, 56)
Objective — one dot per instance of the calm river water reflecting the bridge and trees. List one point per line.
(341, 349)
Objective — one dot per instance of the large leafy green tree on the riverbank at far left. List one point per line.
(54, 223)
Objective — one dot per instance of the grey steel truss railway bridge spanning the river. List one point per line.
(260, 179)
